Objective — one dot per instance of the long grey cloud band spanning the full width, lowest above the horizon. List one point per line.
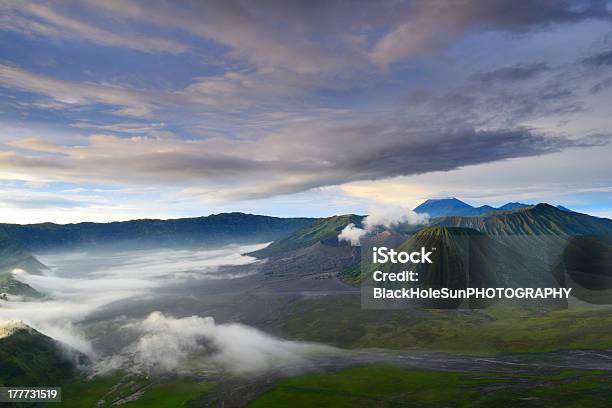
(261, 168)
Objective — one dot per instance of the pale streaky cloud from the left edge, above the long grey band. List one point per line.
(203, 97)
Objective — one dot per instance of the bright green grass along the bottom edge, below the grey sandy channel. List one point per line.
(389, 386)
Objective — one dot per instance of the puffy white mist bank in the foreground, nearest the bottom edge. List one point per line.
(169, 345)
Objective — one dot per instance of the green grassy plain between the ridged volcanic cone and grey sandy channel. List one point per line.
(340, 321)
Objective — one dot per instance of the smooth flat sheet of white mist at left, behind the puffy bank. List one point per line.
(79, 284)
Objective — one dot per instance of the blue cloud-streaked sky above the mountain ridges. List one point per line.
(115, 110)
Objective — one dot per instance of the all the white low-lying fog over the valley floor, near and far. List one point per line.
(81, 284)
